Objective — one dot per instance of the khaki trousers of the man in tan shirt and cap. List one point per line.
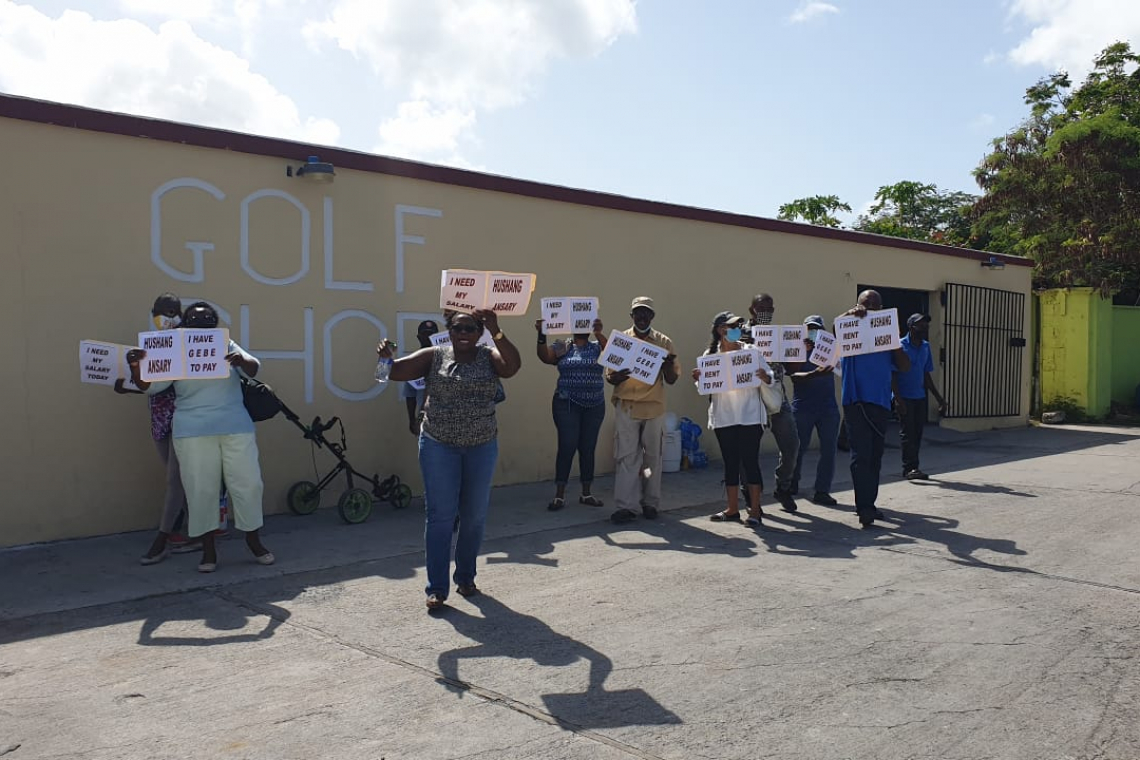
(637, 446)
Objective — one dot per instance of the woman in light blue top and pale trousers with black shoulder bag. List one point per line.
(215, 443)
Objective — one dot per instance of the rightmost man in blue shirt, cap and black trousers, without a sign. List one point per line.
(910, 389)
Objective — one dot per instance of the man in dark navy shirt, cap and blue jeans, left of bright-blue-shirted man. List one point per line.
(813, 403)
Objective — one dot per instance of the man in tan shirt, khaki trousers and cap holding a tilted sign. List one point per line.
(639, 428)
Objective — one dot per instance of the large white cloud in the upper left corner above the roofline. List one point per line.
(126, 67)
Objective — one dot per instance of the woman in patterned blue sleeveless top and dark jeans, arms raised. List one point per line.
(579, 408)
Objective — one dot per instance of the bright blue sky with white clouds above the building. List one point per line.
(737, 105)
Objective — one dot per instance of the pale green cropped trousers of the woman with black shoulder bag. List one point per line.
(207, 463)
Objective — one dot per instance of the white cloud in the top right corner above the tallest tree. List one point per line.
(1069, 35)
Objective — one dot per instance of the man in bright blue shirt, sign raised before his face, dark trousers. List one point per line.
(867, 387)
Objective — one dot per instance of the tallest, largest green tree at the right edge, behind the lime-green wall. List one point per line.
(1064, 187)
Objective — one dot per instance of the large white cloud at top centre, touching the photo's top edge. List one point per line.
(451, 60)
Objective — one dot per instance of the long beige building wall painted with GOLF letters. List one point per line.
(95, 226)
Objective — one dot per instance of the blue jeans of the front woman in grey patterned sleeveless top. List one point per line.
(458, 481)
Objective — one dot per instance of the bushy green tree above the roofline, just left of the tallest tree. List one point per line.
(921, 213)
